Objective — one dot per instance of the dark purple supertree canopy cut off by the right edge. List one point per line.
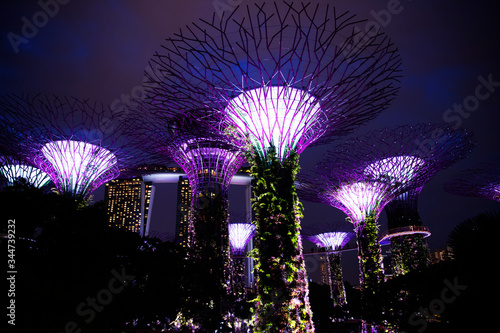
(481, 180)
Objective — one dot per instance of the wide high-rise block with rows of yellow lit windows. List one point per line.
(127, 203)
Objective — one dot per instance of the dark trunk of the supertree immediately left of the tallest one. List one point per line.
(208, 301)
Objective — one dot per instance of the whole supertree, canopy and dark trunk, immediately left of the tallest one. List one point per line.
(210, 162)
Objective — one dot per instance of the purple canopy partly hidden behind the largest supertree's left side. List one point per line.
(207, 158)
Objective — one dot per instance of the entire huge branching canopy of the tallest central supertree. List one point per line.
(279, 75)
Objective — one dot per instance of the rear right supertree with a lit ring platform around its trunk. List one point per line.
(410, 155)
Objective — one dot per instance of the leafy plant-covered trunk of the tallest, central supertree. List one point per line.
(283, 299)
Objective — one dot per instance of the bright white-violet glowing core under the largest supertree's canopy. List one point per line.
(274, 116)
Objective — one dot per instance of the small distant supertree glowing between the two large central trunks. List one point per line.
(239, 236)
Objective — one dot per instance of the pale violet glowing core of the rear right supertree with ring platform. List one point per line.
(398, 169)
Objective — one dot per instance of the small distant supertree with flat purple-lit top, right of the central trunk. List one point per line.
(333, 237)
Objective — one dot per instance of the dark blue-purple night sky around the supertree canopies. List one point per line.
(99, 50)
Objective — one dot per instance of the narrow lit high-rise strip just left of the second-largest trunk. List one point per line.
(183, 211)
